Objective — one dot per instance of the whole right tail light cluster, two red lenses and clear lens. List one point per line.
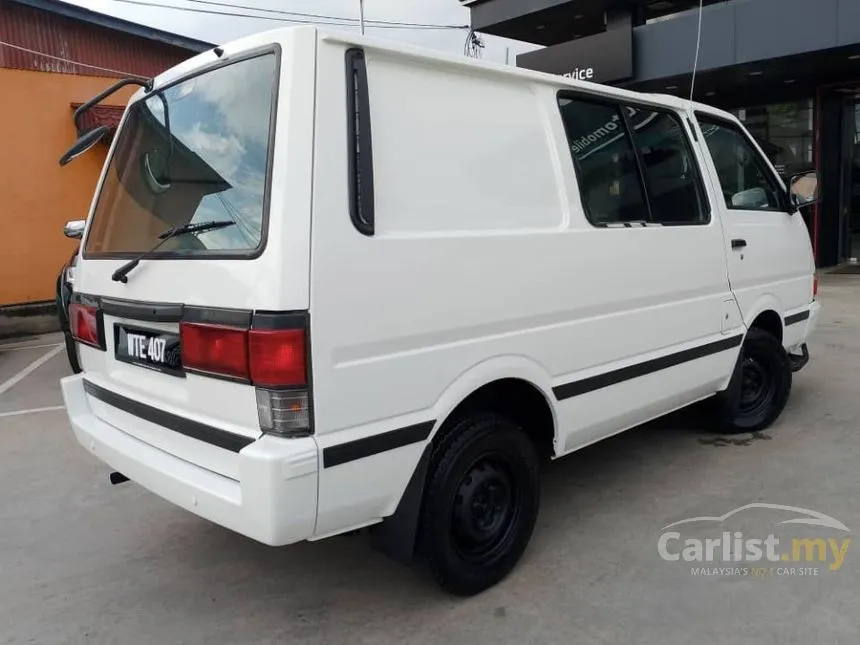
(273, 360)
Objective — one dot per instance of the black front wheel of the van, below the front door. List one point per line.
(764, 388)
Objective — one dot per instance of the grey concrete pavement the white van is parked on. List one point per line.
(84, 562)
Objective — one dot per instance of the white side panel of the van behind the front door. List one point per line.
(450, 281)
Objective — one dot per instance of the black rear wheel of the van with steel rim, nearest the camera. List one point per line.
(480, 503)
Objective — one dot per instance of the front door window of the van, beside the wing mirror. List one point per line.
(746, 182)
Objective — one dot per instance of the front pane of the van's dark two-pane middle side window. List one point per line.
(675, 191)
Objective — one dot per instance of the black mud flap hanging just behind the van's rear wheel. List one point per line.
(396, 535)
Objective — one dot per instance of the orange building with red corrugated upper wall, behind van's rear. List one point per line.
(40, 88)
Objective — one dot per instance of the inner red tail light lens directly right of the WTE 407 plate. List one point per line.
(216, 349)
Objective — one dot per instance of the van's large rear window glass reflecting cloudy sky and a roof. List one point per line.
(197, 151)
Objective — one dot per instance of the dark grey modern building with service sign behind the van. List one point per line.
(789, 69)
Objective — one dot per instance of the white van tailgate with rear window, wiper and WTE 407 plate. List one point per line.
(169, 342)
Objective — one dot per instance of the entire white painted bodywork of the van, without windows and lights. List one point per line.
(482, 266)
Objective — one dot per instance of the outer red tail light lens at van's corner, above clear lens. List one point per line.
(277, 357)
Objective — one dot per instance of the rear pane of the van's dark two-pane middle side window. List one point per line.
(605, 163)
